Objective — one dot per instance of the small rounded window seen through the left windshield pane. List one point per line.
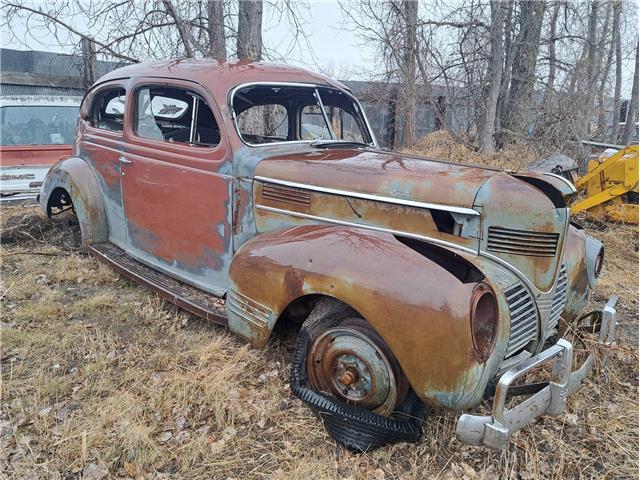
(264, 124)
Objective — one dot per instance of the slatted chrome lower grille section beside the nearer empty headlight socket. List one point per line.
(524, 319)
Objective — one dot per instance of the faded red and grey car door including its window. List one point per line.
(176, 184)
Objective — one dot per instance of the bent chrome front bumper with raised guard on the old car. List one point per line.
(494, 430)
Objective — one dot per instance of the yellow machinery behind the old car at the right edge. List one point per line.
(611, 187)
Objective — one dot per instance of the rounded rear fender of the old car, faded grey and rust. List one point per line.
(76, 177)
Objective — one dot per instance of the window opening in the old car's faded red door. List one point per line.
(175, 115)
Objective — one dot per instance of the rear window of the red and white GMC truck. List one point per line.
(37, 125)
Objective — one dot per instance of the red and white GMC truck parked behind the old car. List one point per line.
(36, 133)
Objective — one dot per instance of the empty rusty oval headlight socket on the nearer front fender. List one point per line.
(484, 319)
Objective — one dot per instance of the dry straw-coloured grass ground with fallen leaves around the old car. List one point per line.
(102, 379)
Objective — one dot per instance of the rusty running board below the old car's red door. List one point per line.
(192, 299)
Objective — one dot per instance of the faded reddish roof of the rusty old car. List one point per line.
(220, 76)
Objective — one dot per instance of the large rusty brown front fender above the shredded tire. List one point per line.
(419, 308)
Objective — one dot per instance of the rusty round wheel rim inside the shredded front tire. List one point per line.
(349, 361)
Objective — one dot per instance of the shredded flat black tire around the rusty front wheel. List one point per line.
(355, 428)
